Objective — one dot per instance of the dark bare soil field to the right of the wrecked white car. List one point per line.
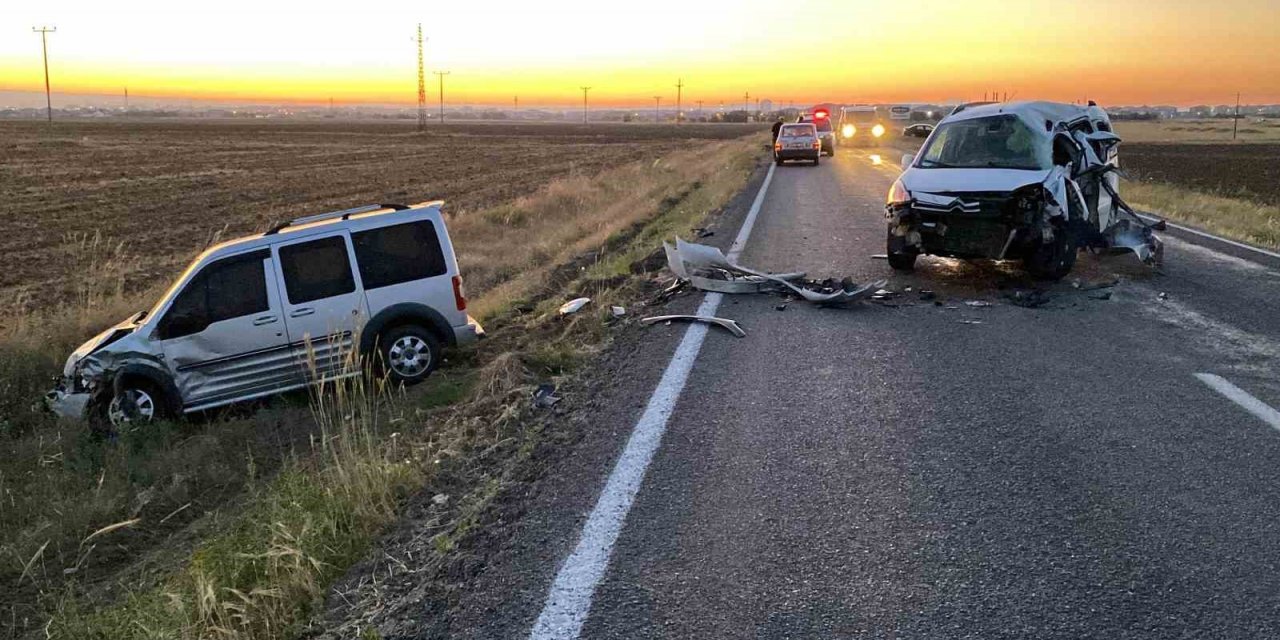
(1249, 172)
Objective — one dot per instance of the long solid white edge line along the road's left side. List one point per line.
(570, 598)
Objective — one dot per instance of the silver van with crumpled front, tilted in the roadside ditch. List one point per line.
(278, 312)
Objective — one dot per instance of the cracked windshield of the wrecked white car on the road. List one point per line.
(993, 143)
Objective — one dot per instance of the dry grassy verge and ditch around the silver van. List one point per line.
(217, 542)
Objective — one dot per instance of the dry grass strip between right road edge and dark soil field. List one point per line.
(1235, 218)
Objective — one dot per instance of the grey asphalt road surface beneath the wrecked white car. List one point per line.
(924, 470)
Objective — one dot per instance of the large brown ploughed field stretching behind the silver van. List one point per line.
(143, 198)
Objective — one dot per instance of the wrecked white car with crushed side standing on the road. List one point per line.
(1031, 181)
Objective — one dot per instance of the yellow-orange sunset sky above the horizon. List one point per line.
(803, 52)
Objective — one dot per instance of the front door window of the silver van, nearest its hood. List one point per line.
(232, 287)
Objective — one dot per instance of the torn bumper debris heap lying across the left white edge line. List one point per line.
(707, 269)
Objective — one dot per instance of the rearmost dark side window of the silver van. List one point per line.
(399, 254)
